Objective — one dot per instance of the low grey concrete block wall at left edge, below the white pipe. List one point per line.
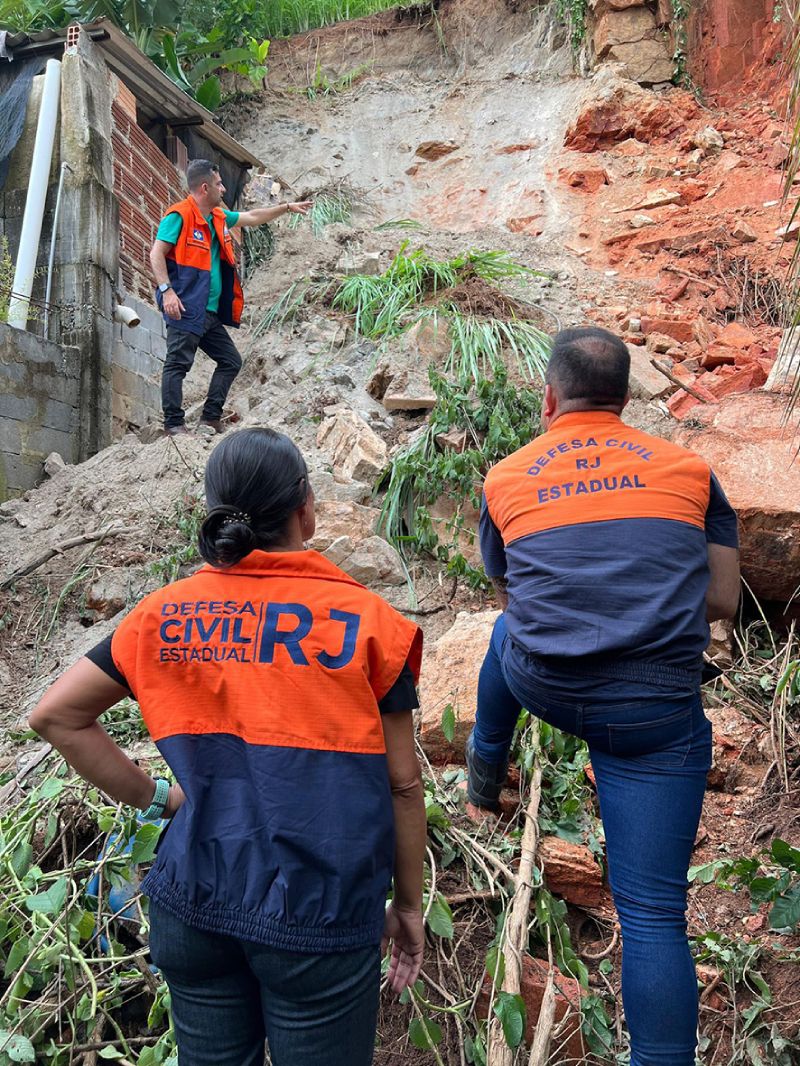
(40, 407)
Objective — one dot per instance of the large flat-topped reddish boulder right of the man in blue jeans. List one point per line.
(754, 456)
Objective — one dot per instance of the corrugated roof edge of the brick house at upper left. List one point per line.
(159, 98)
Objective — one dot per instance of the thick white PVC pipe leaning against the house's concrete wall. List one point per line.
(35, 205)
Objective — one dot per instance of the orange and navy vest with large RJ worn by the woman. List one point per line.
(261, 686)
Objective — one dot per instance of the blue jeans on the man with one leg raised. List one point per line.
(651, 750)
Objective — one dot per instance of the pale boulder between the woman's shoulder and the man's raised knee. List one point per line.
(451, 677)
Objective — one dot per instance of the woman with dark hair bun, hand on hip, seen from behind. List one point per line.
(280, 693)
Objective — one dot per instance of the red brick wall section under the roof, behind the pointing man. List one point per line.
(146, 184)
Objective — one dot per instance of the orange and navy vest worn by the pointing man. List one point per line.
(189, 267)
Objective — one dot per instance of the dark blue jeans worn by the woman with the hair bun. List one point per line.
(229, 996)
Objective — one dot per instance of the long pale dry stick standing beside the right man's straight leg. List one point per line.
(517, 924)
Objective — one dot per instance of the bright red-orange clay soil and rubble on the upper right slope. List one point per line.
(691, 197)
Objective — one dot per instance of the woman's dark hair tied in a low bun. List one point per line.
(255, 481)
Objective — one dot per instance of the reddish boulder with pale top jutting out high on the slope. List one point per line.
(616, 109)
